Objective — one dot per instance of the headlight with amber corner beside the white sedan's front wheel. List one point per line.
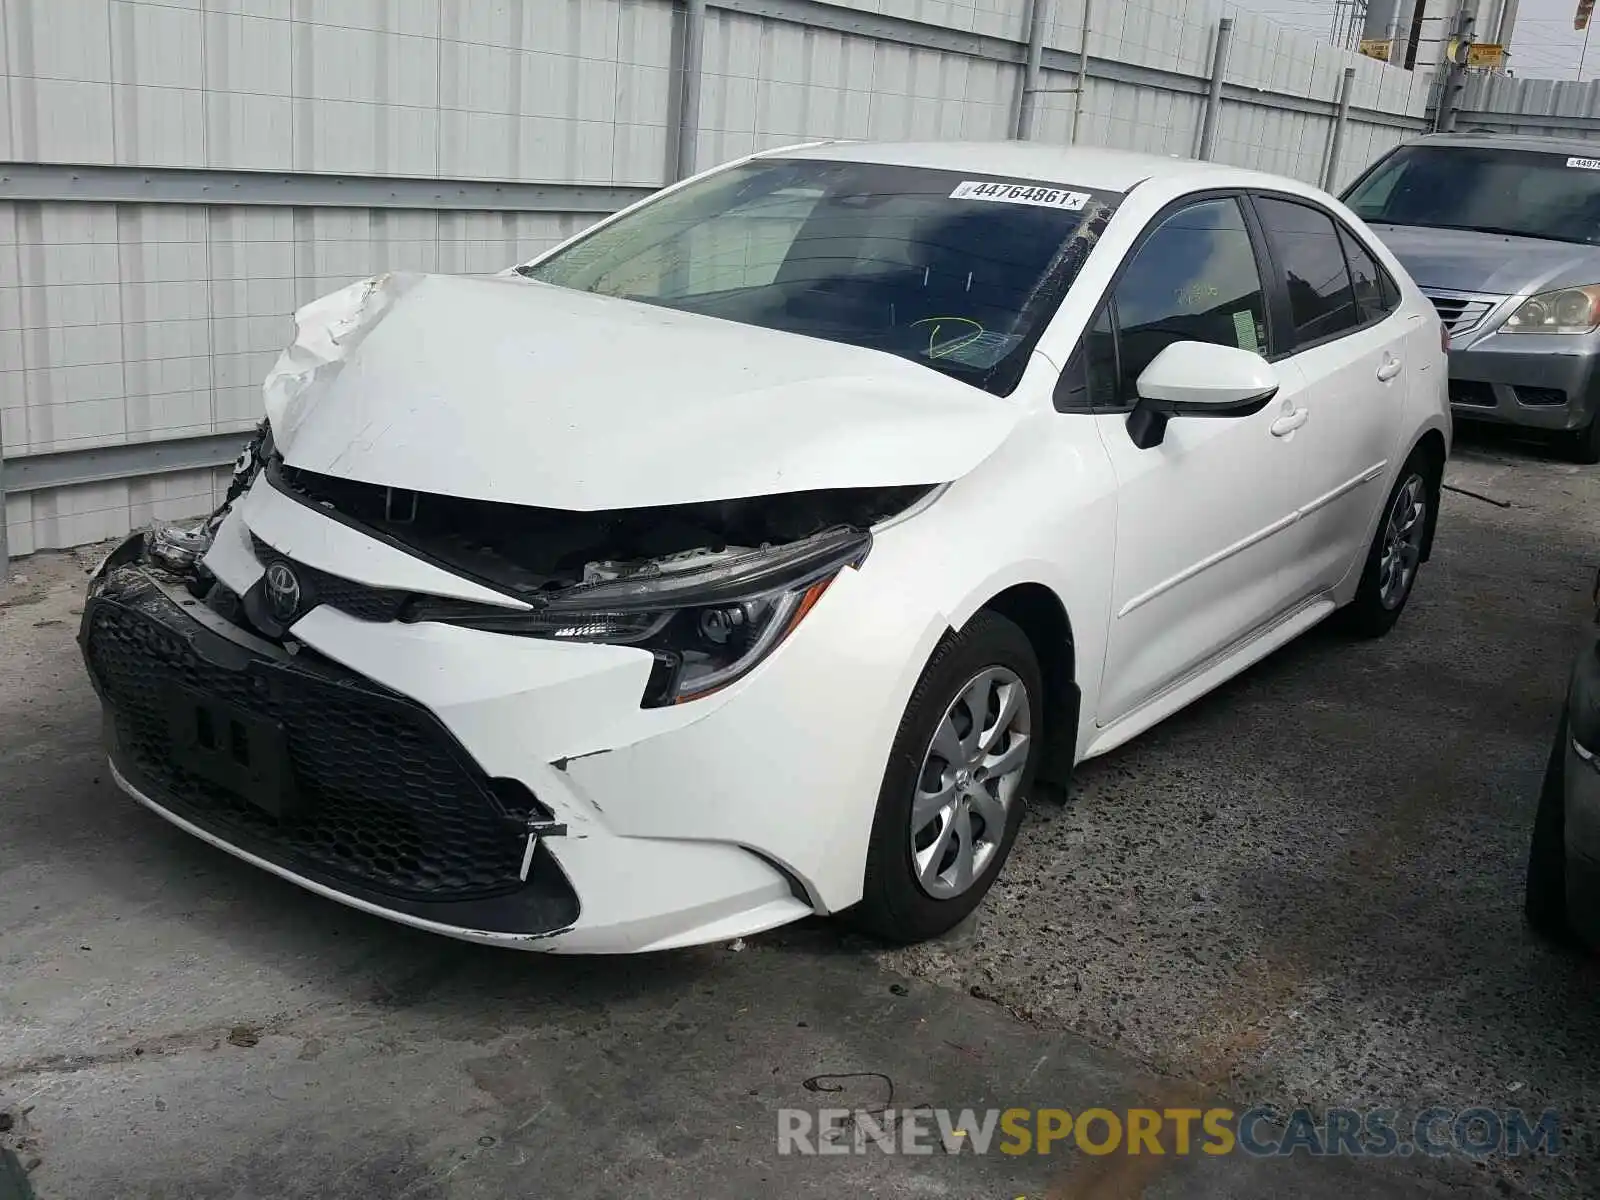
(708, 622)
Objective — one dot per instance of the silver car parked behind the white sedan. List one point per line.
(1503, 234)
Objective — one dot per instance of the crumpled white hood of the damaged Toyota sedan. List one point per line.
(505, 390)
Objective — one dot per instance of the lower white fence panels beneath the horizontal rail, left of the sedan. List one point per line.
(138, 322)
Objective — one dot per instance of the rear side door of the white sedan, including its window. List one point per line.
(1348, 340)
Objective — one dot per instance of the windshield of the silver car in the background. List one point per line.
(1495, 191)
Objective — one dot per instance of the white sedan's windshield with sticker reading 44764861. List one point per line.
(950, 270)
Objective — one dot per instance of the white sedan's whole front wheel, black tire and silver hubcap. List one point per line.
(954, 790)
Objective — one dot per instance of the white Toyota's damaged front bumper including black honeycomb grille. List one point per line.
(417, 750)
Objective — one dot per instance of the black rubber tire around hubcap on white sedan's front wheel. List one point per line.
(895, 905)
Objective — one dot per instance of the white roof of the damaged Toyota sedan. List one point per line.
(1071, 166)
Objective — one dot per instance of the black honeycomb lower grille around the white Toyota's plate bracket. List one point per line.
(390, 801)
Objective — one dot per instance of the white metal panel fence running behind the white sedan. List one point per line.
(154, 314)
